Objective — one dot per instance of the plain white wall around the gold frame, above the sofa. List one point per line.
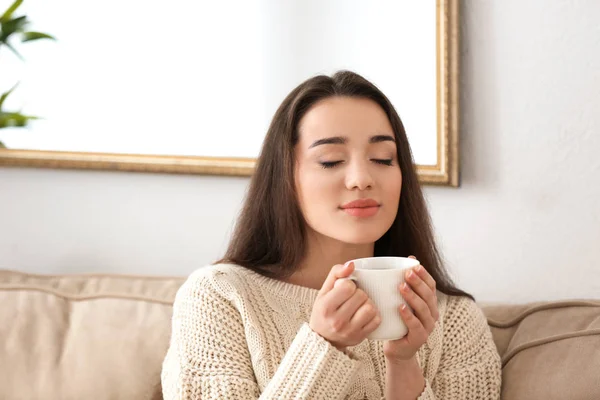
(525, 225)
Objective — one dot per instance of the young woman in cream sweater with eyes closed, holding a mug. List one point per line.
(334, 181)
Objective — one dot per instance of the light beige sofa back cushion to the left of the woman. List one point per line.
(83, 336)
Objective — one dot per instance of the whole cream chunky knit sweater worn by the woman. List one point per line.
(239, 335)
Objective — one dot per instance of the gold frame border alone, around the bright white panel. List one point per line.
(445, 172)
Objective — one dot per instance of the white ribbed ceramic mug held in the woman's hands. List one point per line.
(379, 278)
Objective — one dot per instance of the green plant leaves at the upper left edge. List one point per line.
(15, 27)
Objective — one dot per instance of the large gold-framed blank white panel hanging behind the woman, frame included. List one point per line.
(191, 87)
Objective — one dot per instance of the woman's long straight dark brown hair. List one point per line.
(270, 235)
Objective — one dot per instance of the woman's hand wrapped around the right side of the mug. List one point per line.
(419, 292)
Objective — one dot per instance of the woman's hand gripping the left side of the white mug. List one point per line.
(342, 313)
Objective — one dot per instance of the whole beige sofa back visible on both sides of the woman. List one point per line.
(104, 336)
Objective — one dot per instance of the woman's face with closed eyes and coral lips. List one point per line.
(347, 152)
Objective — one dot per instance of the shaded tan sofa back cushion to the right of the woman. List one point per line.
(549, 350)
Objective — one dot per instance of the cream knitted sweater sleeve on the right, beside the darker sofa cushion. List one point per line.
(470, 365)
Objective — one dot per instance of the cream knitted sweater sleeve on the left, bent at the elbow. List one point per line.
(209, 358)
